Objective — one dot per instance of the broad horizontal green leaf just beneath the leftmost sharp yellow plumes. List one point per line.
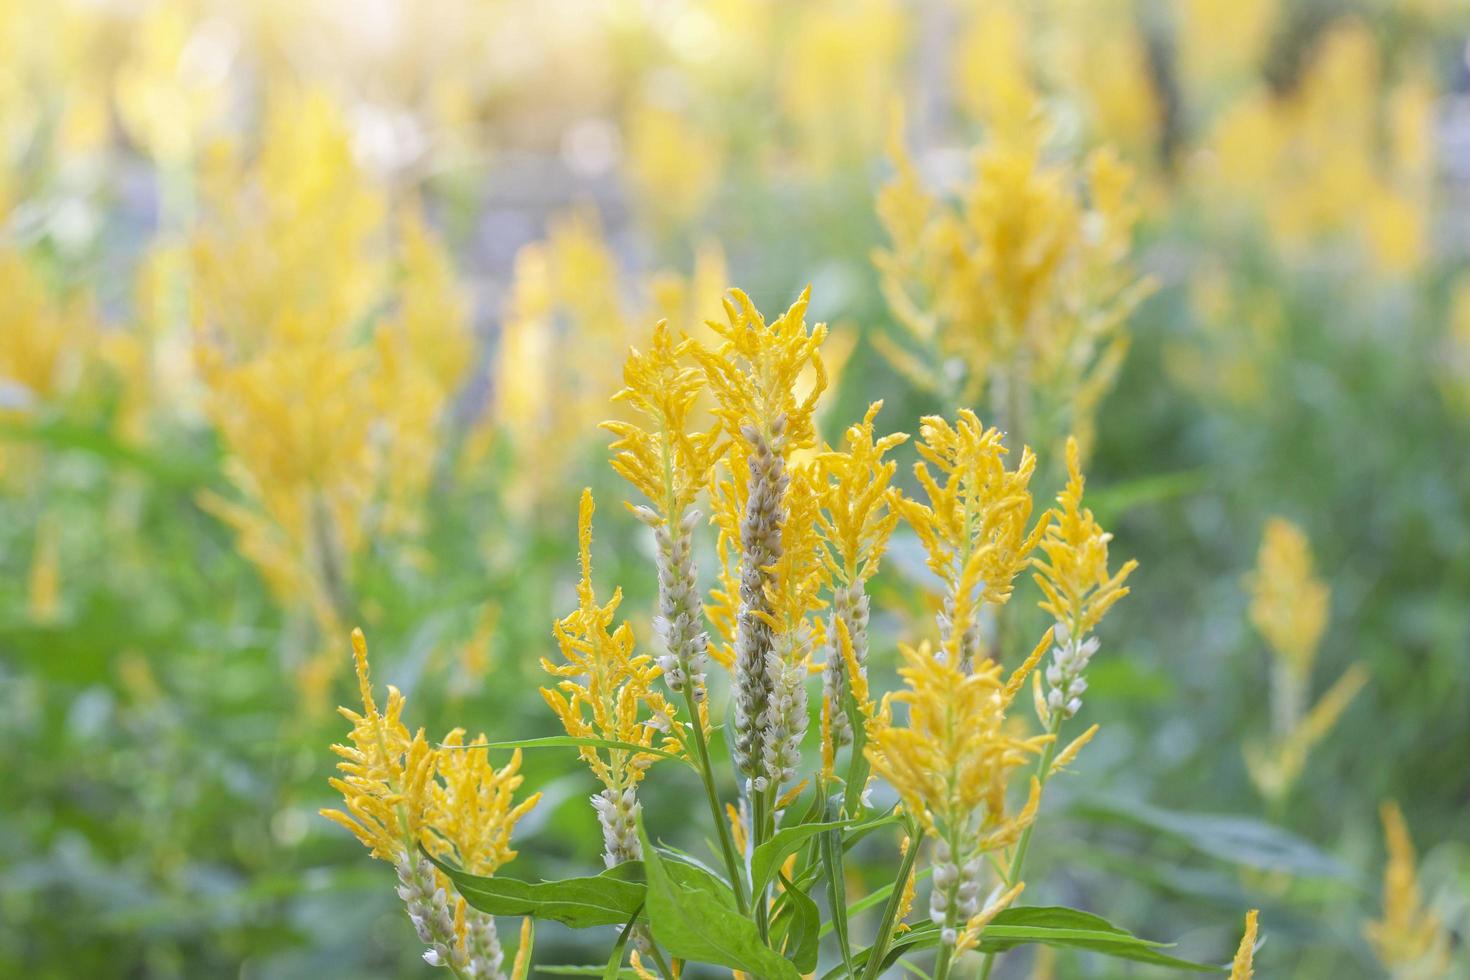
(605, 900)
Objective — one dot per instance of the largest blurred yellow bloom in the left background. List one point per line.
(331, 343)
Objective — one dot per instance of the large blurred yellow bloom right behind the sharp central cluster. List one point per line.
(1022, 290)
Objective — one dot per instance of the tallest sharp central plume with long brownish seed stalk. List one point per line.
(755, 377)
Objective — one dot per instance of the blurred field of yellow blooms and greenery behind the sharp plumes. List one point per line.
(309, 311)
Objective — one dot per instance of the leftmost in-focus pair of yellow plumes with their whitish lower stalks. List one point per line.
(402, 796)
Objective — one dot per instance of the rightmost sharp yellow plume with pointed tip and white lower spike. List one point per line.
(1078, 588)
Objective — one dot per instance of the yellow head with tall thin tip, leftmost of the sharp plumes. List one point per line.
(389, 774)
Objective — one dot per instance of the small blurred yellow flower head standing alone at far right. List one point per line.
(1288, 602)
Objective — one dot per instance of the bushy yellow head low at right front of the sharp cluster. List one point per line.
(952, 753)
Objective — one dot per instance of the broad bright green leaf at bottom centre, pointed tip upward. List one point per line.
(698, 920)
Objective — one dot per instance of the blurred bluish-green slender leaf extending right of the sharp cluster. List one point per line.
(1234, 840)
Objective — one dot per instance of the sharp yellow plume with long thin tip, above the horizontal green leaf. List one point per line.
(603, 693)
